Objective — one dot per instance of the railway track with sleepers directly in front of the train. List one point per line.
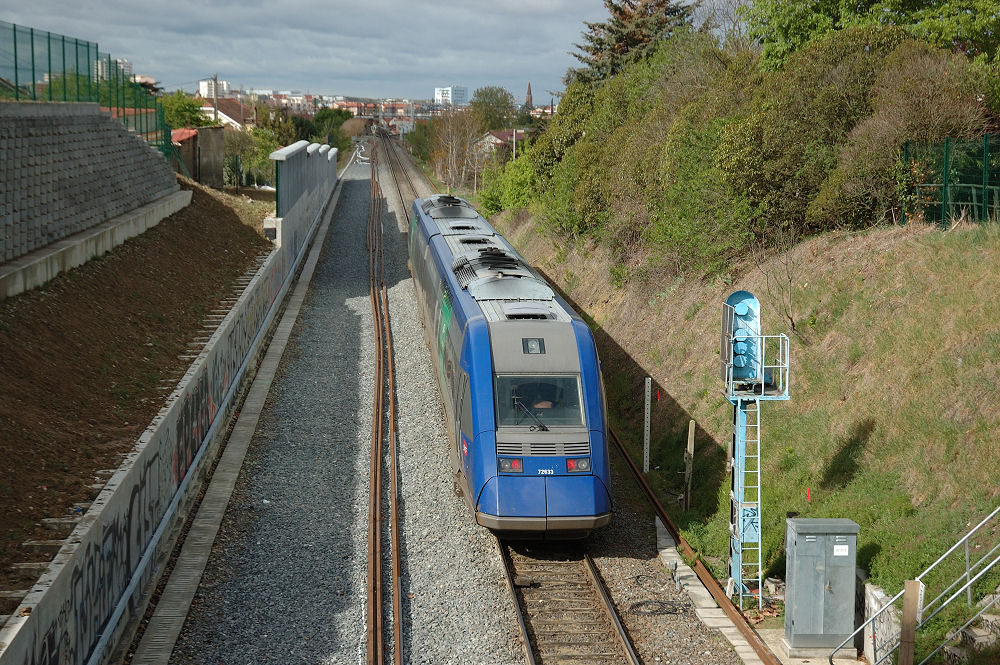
(564, 610)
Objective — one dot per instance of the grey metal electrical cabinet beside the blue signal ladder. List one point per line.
(820, 560)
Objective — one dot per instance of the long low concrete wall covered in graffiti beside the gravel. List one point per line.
(95, 590)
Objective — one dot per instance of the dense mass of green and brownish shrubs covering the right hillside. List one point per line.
(686, 159)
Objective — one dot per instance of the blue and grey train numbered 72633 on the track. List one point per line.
(519, 378)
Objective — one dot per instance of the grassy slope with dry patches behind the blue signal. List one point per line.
(892, 420)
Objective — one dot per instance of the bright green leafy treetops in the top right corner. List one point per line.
(783, 26)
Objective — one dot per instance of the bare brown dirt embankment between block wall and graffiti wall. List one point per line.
(89, 358)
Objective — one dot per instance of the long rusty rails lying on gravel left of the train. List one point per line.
(383, 431)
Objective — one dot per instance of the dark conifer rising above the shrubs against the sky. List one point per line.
(632, 33)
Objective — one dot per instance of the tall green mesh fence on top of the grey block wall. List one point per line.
(40, 66)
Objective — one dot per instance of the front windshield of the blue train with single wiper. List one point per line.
(539, 401)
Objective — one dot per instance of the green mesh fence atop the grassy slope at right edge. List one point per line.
(954, 177)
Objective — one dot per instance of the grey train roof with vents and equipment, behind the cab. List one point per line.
(484, 265)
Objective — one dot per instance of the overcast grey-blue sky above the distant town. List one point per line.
(368, 48)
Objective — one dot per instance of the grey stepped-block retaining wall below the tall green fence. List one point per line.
(65, 168)
